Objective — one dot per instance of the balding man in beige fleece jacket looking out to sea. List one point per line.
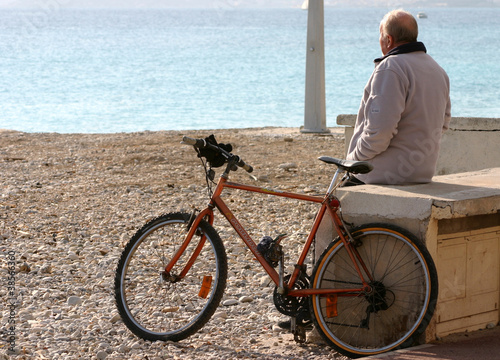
(404, 110)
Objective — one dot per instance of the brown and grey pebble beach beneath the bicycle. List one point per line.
(70, 202)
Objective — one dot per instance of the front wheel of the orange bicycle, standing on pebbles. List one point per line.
(156, 308)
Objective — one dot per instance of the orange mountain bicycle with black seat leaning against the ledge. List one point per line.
(373, 289)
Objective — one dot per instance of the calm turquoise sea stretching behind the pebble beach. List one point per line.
(101, 71)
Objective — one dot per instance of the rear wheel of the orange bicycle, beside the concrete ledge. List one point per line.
(404, 285)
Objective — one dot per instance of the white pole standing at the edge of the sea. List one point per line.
(315, 108)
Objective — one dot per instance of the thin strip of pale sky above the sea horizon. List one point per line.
(48, 4)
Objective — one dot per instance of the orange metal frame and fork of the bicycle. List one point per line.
(329, 204)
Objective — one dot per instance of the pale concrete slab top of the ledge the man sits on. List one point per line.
(448, 196)
